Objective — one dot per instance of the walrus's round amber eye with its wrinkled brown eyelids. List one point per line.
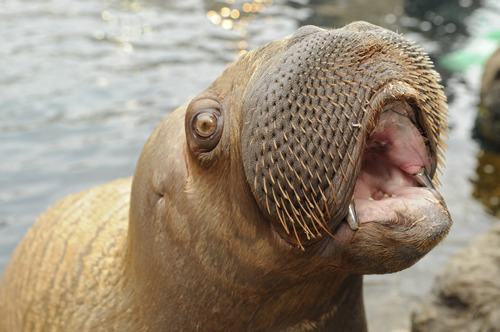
(203, 125)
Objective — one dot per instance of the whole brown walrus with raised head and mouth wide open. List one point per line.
(258, 205)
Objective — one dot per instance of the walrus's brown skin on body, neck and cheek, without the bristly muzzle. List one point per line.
(191, 249)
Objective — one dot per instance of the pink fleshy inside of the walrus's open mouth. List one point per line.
(388, 185)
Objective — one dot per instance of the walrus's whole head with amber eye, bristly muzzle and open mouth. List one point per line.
(297, 132)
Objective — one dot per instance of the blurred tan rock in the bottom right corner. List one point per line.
(466, 293)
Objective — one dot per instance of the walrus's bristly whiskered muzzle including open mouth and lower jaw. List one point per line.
(348, 119)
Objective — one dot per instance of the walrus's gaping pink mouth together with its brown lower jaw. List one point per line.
(396, 215)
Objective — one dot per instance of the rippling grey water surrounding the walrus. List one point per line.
(83, 84)
